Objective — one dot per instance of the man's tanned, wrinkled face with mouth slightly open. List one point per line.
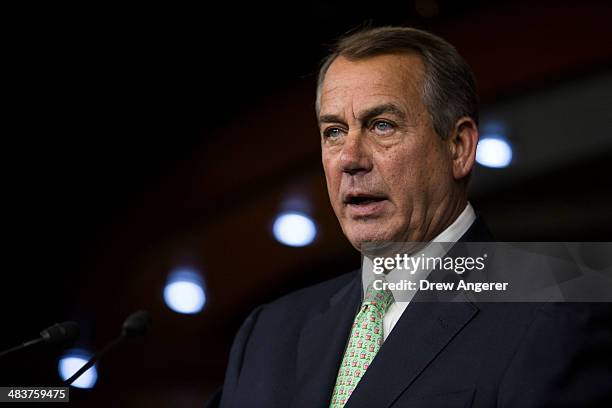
(389, 175)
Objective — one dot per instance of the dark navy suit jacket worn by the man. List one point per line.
(287, 353)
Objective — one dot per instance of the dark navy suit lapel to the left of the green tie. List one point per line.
(321, 347)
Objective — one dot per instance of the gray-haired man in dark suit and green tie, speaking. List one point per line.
(398, 115)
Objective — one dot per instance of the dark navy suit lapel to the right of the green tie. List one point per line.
(424, 329)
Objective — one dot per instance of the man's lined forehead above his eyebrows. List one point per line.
(385, 78)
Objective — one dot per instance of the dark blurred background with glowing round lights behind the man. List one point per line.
(168, 159)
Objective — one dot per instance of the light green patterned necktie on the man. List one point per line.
(365, 341)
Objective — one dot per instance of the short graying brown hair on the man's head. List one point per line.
(449, 87)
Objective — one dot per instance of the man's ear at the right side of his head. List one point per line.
(462, 143)
